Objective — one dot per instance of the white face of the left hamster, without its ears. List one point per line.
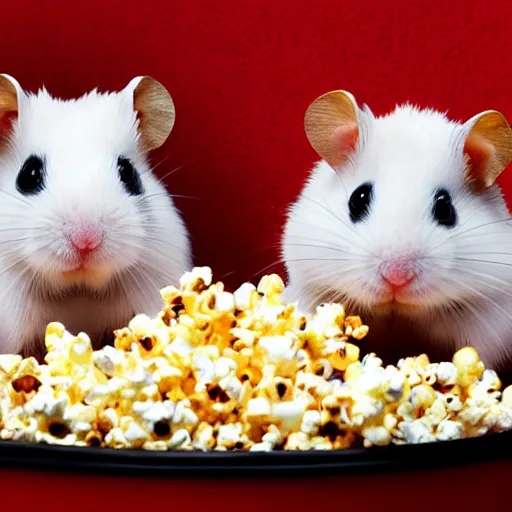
(81, 206)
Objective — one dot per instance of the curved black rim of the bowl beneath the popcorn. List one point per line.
(485, 448)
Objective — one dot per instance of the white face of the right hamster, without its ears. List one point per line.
(397, 228)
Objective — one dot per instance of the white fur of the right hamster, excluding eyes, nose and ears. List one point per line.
(408, 154)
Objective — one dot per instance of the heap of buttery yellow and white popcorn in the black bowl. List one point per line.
(242, 371)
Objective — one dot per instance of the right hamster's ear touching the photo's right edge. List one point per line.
(488, 147)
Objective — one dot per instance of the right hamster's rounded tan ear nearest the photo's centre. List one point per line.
(331, 126)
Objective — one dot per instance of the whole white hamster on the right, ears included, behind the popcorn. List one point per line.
(402, 220)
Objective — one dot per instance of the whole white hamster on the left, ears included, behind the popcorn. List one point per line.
(88, 234)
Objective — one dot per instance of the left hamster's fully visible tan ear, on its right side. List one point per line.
(155, 111)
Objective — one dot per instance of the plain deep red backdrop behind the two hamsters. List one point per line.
(242, 73)
